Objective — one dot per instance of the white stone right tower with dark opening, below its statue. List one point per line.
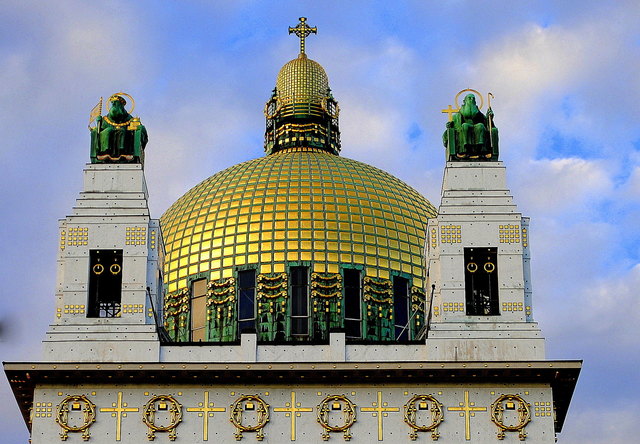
(478, 254)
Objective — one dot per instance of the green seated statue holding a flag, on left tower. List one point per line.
(117, 137)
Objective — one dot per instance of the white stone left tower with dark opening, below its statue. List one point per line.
(109, 280)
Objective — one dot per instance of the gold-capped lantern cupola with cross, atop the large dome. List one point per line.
(301, 112)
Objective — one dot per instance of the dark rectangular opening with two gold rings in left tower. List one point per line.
(105, 283)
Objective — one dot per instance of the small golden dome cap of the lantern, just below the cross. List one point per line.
(302, 80)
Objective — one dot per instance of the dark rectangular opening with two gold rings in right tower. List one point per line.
(481, 281)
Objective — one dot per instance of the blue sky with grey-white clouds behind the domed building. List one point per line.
(566, 81)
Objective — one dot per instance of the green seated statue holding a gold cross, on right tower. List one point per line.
(470, 135)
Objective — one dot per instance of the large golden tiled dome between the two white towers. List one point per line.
(296, 206)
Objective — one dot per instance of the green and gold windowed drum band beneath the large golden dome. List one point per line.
(298, 306)
